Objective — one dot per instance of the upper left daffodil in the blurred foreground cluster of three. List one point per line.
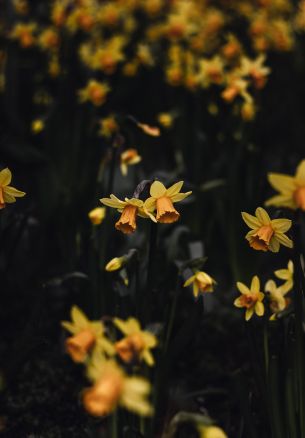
(88, 337)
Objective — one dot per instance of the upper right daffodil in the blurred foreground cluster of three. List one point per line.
(137, 343)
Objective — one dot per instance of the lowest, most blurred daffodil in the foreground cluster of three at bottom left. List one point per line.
(112, 388)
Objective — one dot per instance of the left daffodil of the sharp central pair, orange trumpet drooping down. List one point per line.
(130, 208)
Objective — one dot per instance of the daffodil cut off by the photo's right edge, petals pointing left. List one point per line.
(291, 188)
